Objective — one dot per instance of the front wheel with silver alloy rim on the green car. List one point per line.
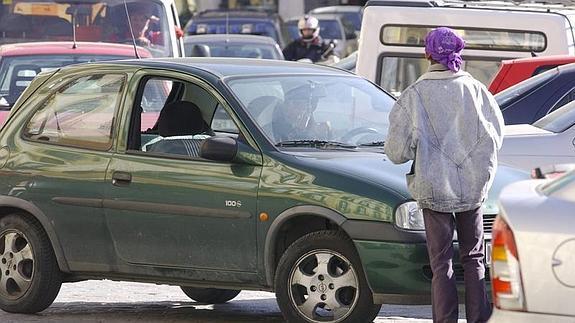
(334, 292)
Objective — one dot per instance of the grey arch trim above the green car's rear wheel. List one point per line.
(14, 202)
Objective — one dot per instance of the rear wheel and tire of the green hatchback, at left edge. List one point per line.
(30, 278)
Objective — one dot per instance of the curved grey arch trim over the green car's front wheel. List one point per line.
(281, 219)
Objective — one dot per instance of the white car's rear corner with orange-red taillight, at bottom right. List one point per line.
(533, 243)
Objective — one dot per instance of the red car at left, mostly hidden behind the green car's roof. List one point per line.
(20, 63)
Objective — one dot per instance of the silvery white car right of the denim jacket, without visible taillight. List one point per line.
(548, 141)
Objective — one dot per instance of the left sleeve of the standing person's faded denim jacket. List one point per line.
(399, 146)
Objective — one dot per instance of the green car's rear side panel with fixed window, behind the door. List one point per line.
(63, 154)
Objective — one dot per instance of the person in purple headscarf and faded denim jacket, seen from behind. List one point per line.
(451, 127)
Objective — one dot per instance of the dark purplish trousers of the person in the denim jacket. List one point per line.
(439, 228)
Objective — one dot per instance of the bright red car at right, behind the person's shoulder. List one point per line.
(514, 71)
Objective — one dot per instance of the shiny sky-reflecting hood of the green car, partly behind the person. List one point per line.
(377, 169)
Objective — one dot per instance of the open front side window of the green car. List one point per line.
(184, 114)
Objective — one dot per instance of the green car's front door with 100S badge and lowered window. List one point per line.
(171, 208)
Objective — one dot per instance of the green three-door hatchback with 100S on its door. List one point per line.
(216, 175)
